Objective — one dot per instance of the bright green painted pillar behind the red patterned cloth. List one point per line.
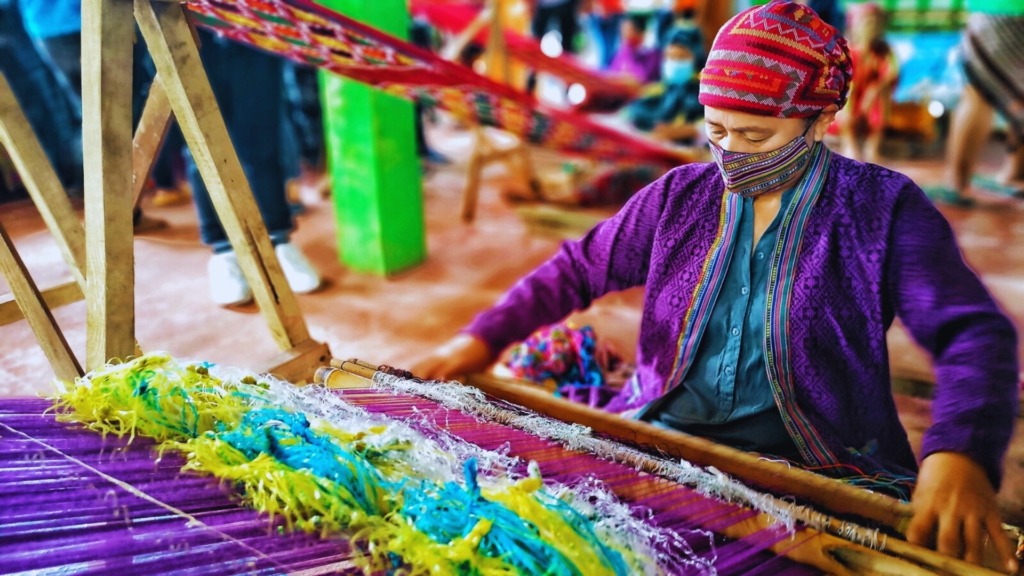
(375, 171)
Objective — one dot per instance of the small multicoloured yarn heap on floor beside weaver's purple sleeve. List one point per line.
(567, 360)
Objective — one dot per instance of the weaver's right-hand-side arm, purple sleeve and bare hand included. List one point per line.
(974, 347)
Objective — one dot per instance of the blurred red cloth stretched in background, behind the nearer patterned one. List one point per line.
(455, 17)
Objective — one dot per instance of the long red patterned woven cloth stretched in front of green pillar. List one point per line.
(310, 34)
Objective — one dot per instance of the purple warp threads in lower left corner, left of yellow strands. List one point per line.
(55, 513)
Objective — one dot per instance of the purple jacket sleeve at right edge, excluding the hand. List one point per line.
(952, 315)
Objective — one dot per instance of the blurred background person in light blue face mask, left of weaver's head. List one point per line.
(670, 109)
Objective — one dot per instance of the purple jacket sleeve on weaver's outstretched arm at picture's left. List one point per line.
(614, 257)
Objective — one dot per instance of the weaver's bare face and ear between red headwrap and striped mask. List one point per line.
(737, 132)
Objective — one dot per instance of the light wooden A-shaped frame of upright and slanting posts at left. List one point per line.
(116, 170)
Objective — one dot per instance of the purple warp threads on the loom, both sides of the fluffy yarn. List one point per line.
(74, 500)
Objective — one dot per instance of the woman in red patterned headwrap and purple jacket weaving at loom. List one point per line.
(773, 276)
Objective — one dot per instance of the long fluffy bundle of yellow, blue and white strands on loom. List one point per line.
(406, 502)
